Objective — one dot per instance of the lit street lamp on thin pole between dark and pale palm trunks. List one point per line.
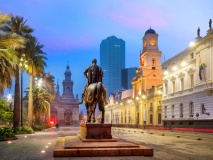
(23, 66)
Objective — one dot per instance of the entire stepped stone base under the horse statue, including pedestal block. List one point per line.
(95, 140)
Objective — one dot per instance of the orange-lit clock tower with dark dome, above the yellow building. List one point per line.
(150, 73)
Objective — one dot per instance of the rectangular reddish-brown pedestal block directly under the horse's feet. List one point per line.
(95, 131)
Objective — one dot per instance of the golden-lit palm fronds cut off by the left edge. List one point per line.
(8, 56)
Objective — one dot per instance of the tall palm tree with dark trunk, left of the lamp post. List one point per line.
(17, 26)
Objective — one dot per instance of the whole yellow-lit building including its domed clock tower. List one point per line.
(141, 106)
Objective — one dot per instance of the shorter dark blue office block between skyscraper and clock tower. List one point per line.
(127, 74)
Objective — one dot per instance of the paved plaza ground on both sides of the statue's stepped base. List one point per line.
(167, 145)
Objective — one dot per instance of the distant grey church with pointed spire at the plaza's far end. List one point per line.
(64, 109)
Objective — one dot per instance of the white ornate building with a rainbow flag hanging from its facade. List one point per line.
(188, 86)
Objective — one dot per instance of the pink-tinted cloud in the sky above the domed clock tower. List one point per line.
(140, 16)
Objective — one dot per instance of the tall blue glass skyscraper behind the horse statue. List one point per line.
(112, 61)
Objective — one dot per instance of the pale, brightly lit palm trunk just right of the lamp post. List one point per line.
(30, 103)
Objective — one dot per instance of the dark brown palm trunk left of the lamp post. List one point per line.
(16, 116)
